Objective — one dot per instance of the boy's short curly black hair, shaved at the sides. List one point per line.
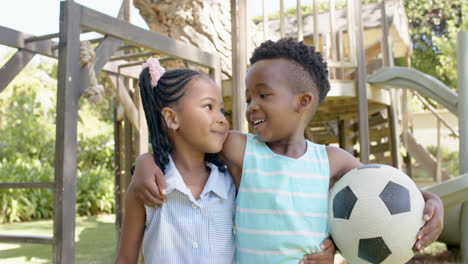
(311, 61)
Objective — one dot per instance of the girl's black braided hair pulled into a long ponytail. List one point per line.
(154, 99)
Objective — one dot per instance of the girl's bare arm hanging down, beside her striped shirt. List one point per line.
(132, 229)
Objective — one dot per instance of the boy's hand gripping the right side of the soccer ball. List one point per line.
(434, 217)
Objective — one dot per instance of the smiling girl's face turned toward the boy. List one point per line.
(202, 124)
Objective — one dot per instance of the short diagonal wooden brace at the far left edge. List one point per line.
(13, 67)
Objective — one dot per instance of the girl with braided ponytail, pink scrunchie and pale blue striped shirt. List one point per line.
(183, 110)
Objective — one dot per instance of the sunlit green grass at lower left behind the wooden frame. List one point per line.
(94, 236)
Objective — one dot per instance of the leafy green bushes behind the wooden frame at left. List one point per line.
(27, 148)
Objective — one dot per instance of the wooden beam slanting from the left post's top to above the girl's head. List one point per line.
(135, 35)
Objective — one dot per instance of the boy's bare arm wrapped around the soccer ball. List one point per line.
(341, 162)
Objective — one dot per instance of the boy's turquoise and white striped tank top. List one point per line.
(282, 204)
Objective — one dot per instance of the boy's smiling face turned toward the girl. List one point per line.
(271, 104)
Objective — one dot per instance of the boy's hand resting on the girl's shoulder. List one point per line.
(148, 181)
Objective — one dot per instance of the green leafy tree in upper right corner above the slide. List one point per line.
(434, 25)
